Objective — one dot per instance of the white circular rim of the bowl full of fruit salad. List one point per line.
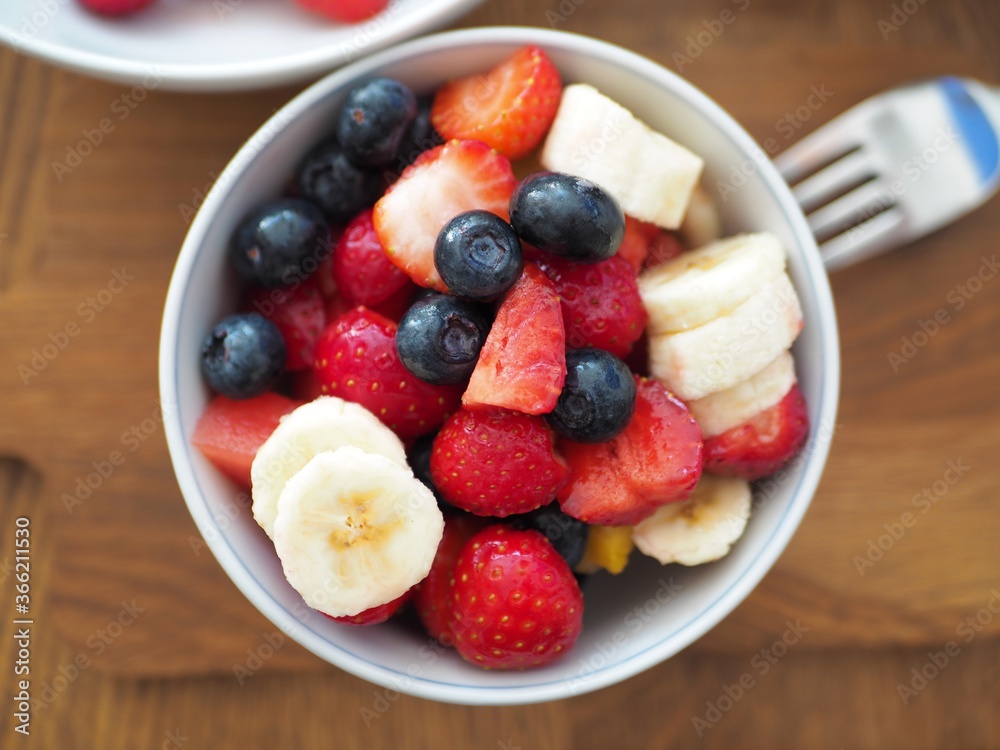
(670, 644)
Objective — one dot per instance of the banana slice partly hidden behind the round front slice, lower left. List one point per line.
(327, 423)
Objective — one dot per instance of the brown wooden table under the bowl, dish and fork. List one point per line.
(138, 630)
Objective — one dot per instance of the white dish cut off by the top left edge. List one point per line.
(210, 45)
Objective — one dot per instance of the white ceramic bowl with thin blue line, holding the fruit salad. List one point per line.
(676, 604)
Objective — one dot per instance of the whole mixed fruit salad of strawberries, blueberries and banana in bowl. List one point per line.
(462, 384)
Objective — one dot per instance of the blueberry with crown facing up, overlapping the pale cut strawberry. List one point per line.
(478, 255)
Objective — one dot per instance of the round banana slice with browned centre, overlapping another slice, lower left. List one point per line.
(355, 530)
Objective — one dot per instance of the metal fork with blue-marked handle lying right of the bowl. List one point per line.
(896, 166)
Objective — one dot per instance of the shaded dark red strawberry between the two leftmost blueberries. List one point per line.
(299, 312)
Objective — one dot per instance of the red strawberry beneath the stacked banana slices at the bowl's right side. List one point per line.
(764, 443)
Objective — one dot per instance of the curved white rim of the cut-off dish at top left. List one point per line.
(266, 73)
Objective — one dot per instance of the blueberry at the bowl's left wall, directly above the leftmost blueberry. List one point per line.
(280, 243)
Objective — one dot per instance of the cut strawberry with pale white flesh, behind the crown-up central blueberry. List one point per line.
(443, 182)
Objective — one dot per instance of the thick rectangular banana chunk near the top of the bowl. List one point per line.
(594, 137)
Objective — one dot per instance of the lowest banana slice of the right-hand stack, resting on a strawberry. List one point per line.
(723, 410)
